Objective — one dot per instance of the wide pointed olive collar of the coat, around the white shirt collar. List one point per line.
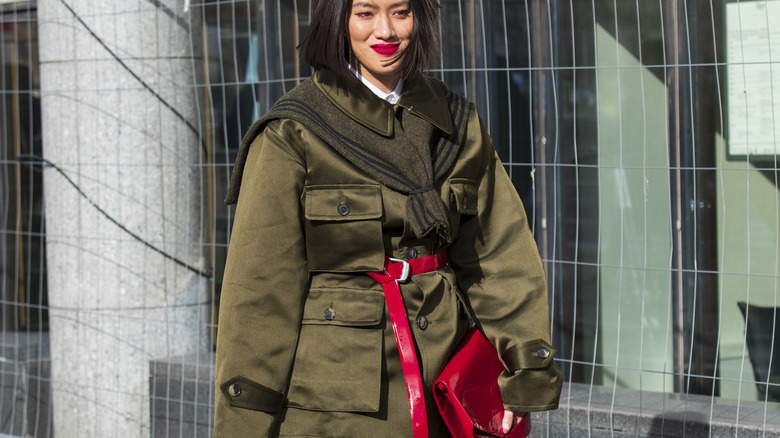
(420, 97)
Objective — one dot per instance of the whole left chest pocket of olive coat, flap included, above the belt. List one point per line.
(344, 228)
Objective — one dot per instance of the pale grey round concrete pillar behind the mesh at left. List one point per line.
(115, 303)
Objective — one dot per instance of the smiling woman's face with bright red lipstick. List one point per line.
(379, 32)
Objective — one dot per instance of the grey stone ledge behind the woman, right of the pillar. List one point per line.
(183, 402)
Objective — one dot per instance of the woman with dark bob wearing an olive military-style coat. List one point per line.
(371, 158)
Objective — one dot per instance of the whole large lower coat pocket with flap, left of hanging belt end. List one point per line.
(338, 362)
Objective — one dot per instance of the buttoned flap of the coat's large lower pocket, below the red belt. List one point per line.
(349, 308)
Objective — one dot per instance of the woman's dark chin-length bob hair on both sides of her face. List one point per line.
(326, 44)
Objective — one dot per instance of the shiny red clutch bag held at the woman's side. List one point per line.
(467, 393)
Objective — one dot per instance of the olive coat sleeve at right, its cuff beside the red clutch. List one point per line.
(497, 265)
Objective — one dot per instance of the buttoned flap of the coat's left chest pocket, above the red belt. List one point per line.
(343, 202)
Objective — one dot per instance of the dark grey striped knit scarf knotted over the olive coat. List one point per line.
(409, 161)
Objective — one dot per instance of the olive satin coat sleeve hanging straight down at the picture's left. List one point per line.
(264, 289)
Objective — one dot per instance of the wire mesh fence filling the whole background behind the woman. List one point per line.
(642, 137)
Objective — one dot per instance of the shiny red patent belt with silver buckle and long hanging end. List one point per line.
(400, 270)
